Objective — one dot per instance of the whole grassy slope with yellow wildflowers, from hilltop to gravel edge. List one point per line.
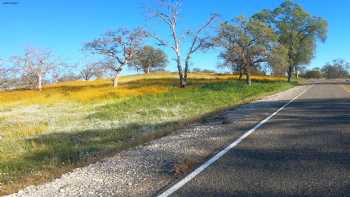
(44, 134)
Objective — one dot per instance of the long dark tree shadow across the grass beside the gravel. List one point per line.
(73, 147)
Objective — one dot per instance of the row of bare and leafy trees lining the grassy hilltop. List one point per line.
(281, 40)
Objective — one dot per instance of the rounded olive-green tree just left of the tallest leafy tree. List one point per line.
(247, 44)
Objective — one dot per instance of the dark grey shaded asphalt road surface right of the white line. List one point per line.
(303, 151)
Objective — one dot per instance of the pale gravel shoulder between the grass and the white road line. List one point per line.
(146, 170)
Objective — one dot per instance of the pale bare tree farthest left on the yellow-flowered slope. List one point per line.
(35, 64)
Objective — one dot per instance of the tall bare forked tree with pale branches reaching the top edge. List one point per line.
(167, 13)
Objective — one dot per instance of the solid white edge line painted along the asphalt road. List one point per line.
(205, 165)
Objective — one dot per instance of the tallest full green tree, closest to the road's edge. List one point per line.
(298, 31)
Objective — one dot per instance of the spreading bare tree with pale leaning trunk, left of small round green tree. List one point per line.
(119, 48)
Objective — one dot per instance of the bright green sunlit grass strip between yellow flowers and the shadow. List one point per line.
(184, 103)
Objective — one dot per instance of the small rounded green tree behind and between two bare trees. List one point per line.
(149, 58)
